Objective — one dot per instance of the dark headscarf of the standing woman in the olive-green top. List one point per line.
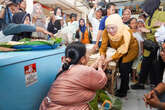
(149, 7)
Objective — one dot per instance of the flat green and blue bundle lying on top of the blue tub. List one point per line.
(29, 44)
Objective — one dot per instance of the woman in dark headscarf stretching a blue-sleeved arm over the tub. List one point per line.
(21, 28)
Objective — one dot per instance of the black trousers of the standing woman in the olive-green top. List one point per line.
(151, 67)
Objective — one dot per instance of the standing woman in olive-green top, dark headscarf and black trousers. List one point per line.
(149, 64)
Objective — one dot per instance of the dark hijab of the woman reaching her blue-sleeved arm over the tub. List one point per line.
(19, 18)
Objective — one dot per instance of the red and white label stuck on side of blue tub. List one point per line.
(30, 74)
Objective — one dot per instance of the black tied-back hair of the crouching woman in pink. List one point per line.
(75, 51)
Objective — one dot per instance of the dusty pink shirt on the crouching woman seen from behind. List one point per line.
(74, 88)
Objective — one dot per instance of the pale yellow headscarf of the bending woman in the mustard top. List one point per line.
(122, 31)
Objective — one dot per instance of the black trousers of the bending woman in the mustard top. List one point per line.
(124, 69)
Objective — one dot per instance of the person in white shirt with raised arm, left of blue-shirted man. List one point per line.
(94, 18)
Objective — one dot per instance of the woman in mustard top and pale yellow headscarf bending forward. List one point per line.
(120, 38)
